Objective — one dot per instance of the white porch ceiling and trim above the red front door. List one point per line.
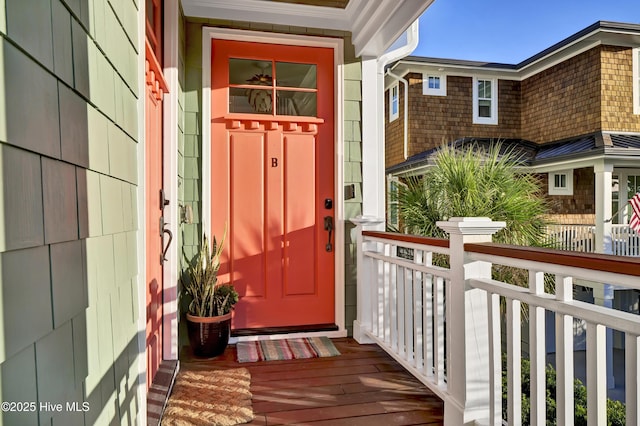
(374, 24)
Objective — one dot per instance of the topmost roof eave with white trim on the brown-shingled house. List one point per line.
(600, 33)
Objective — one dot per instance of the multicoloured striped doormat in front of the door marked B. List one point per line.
(273, 350)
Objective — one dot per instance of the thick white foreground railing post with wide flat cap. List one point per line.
(467, 323)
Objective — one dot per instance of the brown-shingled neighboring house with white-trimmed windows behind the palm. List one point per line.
(573, 110)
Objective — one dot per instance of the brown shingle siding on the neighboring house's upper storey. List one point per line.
(590, 92)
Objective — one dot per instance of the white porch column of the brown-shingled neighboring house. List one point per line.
(603, 293)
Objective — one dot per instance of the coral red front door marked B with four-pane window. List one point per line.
(272, 179)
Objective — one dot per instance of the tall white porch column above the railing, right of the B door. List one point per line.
(373, 176)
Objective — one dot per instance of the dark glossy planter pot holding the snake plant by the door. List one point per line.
(209, 336)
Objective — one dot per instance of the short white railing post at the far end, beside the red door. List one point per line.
(364, 281)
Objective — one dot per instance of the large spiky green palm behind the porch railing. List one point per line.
(475, 182)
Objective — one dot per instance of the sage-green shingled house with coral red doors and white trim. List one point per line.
(128, 129)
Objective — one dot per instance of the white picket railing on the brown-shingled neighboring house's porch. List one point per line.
(624, 240)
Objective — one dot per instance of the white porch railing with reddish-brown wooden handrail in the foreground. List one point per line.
(445, 325)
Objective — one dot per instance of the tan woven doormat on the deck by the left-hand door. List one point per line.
(210, 397)
